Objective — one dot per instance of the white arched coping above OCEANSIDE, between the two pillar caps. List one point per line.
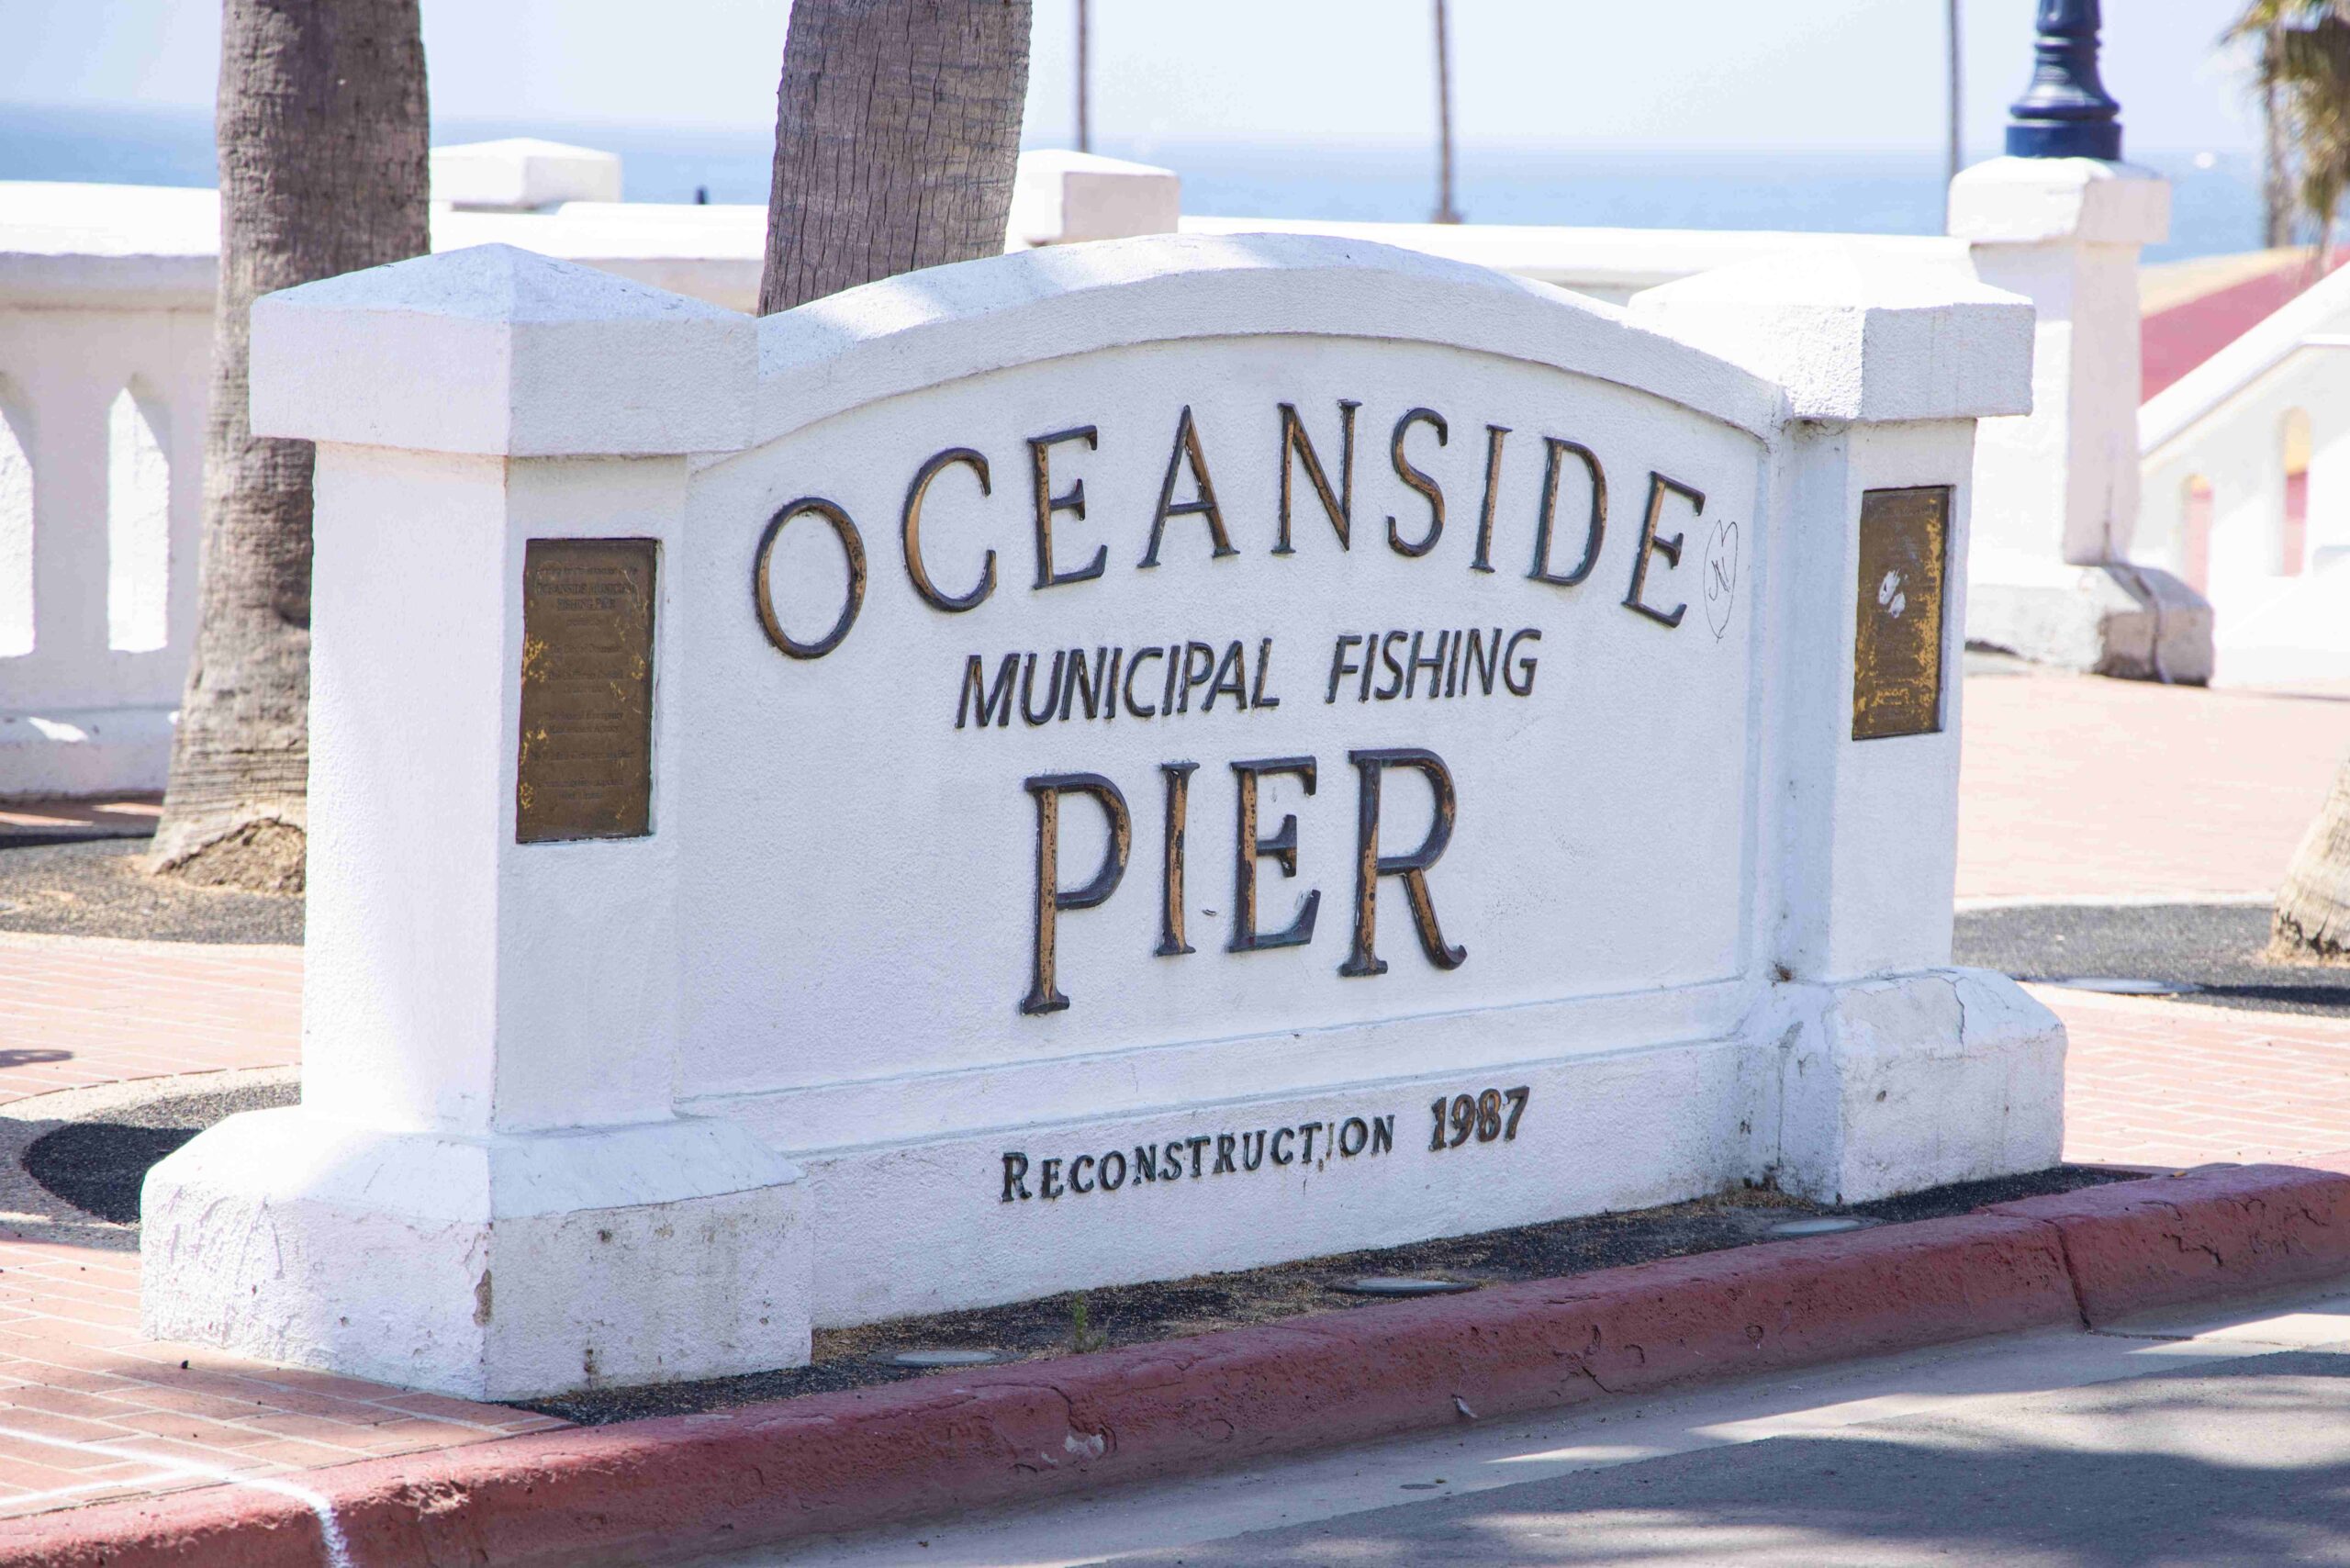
(962, 321)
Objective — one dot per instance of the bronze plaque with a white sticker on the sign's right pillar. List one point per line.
(1898, 631)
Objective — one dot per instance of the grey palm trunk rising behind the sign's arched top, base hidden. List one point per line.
(897, 140)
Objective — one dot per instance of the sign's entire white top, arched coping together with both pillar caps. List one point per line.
(568, 361)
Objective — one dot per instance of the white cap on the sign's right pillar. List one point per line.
(1865, 330)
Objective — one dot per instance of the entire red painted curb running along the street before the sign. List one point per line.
(694, 1485)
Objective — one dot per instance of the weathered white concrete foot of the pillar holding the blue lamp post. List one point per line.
(2130, 622)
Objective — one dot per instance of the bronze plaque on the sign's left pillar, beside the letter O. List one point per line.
(586, 760)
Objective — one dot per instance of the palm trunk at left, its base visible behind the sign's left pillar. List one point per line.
(323, 170)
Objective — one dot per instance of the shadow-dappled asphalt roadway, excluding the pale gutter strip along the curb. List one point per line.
(2243, 1466)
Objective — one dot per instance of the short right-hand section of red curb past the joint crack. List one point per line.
(2135, 1247)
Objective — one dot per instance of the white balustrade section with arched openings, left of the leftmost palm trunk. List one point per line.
(105, 361)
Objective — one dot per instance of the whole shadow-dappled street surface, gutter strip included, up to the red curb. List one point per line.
(2201, 1440)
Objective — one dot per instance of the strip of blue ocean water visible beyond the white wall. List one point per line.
(2215, 201)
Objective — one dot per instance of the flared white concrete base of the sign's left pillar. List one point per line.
(490, 1268)
